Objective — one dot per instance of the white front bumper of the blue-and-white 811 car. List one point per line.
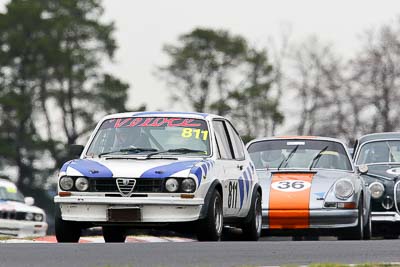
(152, 209)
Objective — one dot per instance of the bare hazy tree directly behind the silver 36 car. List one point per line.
(319, 84)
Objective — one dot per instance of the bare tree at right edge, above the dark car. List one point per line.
(376, 77)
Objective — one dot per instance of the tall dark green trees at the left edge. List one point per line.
(52, 87)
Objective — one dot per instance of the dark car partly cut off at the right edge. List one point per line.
(379, 155)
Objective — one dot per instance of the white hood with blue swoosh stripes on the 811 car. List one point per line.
(137, 168)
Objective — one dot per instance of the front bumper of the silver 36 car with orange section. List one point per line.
(317, 219)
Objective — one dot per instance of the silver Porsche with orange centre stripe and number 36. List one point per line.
(311, 188)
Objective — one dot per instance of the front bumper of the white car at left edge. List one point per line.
(22, 229)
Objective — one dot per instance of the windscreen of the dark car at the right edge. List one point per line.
(379, 152)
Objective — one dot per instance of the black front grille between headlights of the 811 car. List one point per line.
(143, 185)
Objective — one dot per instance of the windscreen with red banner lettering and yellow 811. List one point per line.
(151, 136)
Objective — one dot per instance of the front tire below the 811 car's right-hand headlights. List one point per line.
(210, 228)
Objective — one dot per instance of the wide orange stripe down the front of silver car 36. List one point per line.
(289, 210)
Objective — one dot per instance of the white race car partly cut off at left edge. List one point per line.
(18, 216)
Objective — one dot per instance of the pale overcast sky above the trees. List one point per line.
(143, 27)
